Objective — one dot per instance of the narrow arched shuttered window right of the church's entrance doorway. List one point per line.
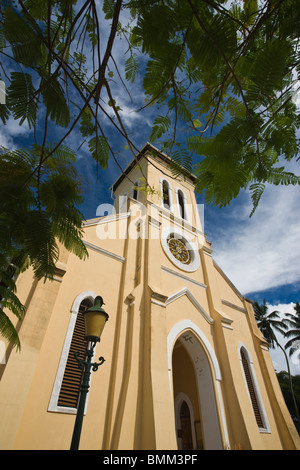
(252, 388)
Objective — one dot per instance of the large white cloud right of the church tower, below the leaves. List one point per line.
(262, 252)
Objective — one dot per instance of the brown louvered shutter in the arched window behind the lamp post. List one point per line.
(70, 387)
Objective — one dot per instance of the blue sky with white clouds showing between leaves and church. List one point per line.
(260, 255)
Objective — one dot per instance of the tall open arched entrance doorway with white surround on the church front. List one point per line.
(193, 382)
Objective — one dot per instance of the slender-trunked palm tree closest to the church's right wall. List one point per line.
(268, 323)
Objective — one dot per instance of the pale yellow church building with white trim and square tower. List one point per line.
(186, 367)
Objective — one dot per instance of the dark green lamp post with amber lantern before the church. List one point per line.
(95, 318)
